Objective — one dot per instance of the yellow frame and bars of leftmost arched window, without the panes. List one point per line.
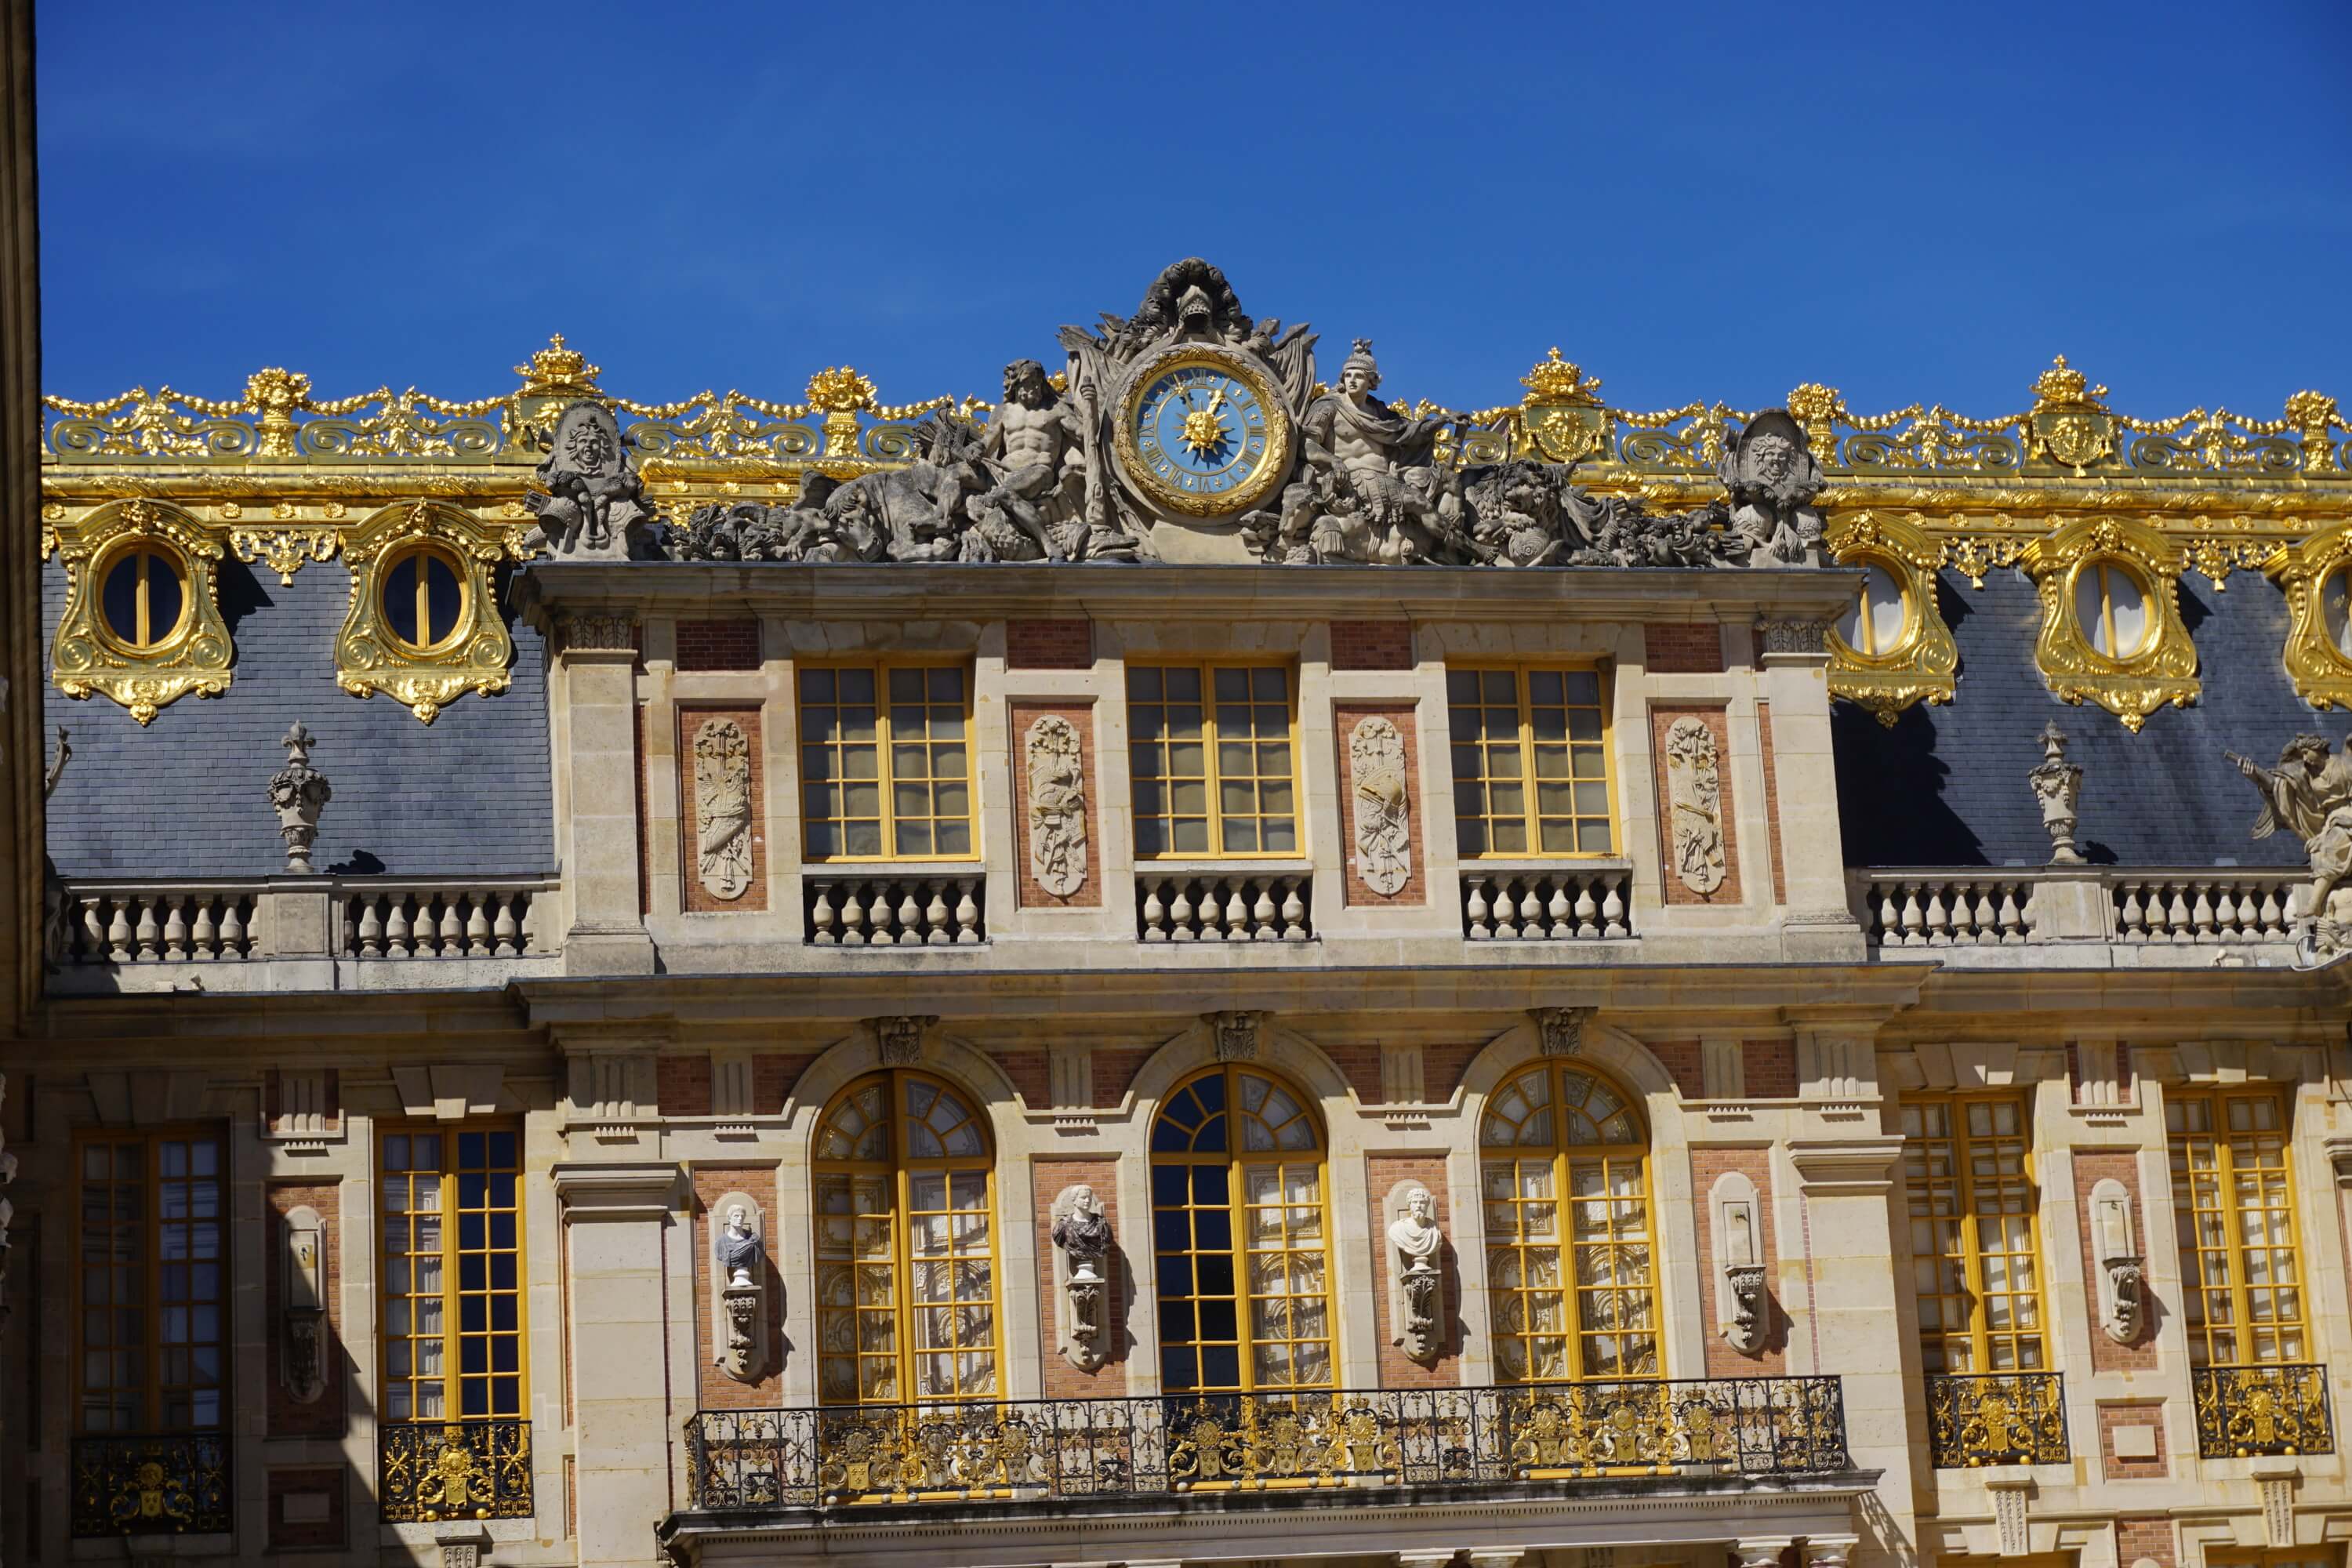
(902, 1170)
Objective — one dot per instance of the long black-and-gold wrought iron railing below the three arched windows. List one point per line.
(1208, 1442)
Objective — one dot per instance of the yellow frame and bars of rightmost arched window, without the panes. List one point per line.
(1563, 1155)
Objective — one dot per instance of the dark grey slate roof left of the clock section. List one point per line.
(189, 793)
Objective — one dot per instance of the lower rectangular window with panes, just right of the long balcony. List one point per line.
(1972, 1228)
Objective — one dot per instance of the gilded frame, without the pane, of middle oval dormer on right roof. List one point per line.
(2165, 669)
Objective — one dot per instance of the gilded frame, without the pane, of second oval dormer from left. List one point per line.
(476, 657)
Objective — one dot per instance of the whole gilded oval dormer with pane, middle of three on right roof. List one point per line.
(2130, 662)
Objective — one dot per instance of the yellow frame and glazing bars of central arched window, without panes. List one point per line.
(1236, 1160)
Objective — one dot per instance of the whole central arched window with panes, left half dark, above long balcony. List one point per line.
(1241, 1235)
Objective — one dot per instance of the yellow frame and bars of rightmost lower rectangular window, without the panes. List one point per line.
(2231, 1214)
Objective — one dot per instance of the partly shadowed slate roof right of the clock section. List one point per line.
(1946, 786)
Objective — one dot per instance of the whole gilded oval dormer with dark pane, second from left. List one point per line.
(427, 648)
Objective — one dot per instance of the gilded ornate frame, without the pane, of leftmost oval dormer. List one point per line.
(88, 657)
